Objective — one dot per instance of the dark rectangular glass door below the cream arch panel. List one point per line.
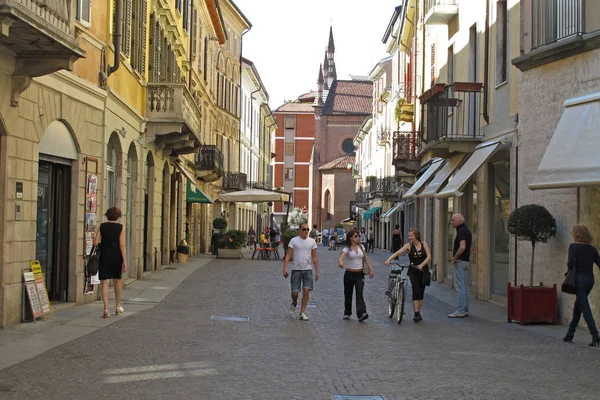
(52, 226)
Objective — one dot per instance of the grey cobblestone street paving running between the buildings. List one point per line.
(175, 350)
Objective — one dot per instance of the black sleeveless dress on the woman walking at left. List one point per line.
(111, 259)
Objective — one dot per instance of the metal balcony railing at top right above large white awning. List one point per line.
(553, 20)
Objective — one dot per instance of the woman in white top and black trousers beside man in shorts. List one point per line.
(354, 278)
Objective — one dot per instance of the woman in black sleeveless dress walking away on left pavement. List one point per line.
(111, 237)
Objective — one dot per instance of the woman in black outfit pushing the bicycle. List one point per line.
(420, 256)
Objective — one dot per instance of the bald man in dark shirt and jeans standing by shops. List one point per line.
(460, 261)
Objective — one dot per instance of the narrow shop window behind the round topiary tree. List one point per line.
(500, 274)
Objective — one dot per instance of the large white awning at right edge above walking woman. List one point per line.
(571, 158)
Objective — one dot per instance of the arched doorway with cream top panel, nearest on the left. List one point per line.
(57, 154)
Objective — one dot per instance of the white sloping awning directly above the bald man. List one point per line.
(480, 156)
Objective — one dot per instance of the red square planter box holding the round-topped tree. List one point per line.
(536, 304)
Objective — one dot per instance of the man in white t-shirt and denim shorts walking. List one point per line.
(303, 250)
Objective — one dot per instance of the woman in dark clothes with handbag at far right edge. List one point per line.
(582, 257)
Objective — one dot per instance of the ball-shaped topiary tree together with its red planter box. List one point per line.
(527, 304)
